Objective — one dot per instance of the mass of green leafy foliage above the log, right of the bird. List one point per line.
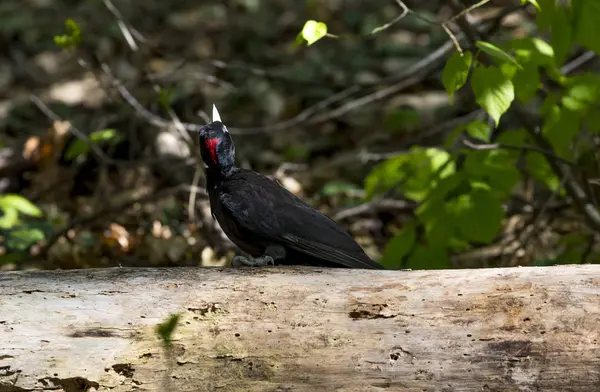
(467, 204)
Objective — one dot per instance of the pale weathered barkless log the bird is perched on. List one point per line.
(302, 329)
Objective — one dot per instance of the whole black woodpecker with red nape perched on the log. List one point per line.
(264, 219)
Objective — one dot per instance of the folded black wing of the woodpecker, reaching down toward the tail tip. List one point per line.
(262, 208)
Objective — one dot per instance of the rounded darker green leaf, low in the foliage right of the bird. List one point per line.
(478, 215)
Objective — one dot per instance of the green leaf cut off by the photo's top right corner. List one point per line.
(587, 22)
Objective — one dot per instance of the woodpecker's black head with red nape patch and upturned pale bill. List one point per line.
(216, 146)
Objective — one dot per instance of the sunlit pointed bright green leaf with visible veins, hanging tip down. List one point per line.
(493, 92)
